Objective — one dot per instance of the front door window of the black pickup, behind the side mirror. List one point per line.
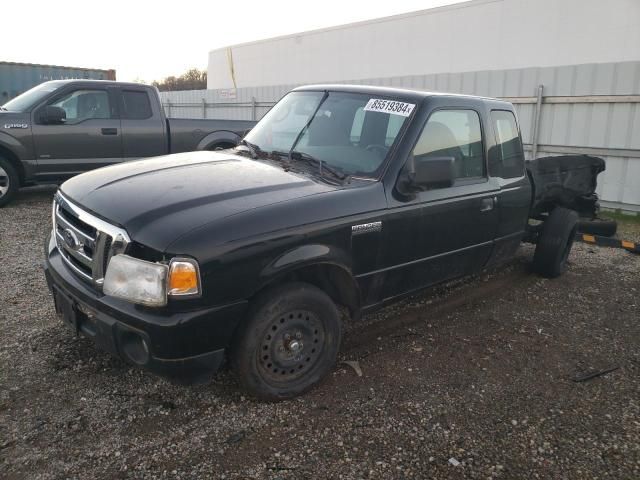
(456, 134)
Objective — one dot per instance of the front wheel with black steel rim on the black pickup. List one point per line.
(288, 343)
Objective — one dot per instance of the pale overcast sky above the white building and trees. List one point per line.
(149, 40)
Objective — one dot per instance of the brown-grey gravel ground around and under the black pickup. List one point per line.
(474, 379)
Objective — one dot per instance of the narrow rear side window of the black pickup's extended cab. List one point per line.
(507, 157)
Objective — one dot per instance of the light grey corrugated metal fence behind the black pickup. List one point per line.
(592, 108)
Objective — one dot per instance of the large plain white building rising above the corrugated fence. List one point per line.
(464, 37)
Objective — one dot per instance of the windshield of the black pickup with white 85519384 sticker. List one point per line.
(350, 132)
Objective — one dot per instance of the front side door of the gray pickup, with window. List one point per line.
(90, 137)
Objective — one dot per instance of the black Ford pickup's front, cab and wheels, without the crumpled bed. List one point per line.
(340, 200)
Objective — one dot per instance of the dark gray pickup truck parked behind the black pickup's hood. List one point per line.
(65, 127)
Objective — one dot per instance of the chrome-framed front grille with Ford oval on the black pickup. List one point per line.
(85, 242)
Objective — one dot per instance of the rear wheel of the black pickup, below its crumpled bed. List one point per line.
(555, 242)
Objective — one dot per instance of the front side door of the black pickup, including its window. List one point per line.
(442, 232)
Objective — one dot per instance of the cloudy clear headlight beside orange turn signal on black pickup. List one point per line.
(136, 280)
